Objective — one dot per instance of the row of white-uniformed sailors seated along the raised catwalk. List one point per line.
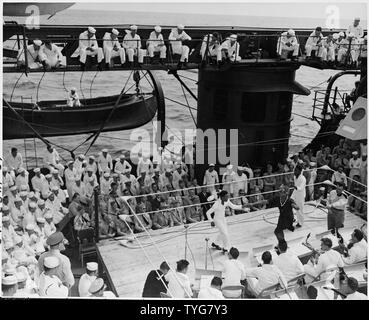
(338, 48)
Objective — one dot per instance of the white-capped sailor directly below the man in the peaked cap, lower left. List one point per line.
(49, 284)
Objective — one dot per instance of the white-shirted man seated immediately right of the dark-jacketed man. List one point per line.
(179, 283)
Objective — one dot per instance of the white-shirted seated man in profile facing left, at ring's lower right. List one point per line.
(328, 259)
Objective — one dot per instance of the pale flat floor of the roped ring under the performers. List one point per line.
(127, 266)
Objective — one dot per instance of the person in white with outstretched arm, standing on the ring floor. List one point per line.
(219, 219)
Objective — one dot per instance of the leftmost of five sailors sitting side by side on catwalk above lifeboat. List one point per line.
(88, 46)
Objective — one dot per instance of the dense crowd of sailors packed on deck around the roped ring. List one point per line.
(161, 192)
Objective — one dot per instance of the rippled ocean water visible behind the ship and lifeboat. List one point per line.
(92, 84)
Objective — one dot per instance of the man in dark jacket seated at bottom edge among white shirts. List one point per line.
(155, 282)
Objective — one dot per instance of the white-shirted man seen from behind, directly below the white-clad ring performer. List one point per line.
(233, 272)
